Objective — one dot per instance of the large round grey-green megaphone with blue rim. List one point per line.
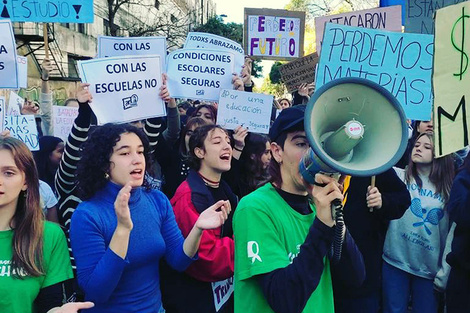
(354, 127)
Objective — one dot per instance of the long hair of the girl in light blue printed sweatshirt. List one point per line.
(442, 171)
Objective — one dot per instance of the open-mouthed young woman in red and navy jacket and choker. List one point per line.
(207, 285)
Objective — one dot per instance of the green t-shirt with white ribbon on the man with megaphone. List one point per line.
(268, 235)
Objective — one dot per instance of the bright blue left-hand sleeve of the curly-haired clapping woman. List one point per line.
(99, 269)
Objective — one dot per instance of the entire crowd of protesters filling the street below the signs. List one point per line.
(178, 214)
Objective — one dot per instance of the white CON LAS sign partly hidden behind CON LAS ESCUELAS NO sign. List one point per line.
(119, 46)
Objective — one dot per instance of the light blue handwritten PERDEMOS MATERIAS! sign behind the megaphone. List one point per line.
(399, 62)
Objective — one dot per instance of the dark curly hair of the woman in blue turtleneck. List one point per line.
(96, 152)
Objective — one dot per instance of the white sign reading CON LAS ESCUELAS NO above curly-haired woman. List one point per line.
(125, 88)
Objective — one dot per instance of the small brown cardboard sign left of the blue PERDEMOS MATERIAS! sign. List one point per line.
(299, 71)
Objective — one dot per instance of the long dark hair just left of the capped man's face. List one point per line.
(253, 173)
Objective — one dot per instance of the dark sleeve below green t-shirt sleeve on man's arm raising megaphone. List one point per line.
(288, 289)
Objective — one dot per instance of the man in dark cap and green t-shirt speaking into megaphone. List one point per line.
(284, 232)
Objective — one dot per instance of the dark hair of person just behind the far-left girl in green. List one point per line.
(46, 169)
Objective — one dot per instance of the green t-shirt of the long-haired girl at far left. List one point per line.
(18, 295)
